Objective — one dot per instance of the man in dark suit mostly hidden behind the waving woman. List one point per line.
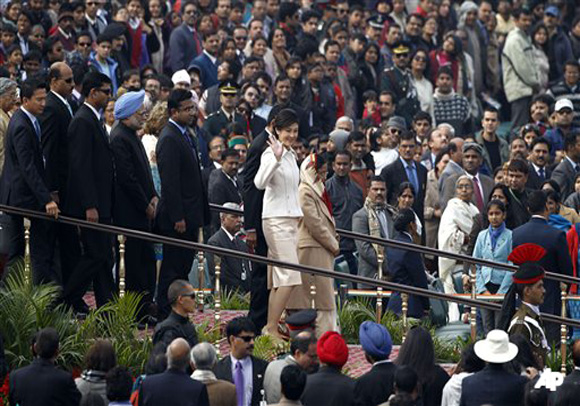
(253, 203)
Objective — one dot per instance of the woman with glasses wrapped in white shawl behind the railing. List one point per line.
(454, 230)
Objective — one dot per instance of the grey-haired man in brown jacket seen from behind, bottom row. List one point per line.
(203, 360)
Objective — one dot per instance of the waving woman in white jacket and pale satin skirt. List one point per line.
(279, 176)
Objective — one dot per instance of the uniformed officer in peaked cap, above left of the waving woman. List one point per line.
(217, 123)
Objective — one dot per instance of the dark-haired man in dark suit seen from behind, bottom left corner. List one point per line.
(41, 383)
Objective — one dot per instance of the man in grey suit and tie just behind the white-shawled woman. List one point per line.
(482, 184)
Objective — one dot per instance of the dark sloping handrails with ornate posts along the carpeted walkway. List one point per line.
(473, 302)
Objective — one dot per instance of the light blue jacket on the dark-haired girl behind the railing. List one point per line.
(483, 250)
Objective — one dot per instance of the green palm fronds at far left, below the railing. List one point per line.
(26, 308)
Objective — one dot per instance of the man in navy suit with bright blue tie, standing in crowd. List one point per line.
(405, 169)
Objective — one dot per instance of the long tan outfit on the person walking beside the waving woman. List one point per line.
(317, 244)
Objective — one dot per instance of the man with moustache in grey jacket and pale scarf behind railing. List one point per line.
(376, 203)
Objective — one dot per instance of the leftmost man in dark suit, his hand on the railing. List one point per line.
(24, 183)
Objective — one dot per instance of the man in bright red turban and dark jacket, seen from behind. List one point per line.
(328, 386)
